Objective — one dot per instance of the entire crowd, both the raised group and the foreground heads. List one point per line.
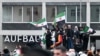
(60, 41)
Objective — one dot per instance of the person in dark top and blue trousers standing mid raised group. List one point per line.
(70, 35)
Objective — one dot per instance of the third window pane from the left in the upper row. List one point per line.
(27, 13)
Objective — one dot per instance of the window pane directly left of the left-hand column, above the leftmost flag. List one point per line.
(37, 13)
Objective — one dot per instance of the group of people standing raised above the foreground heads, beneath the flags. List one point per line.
(68, 37)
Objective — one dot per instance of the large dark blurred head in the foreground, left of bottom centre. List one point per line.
(35, 51)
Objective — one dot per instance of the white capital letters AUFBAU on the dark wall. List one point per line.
(21, 38)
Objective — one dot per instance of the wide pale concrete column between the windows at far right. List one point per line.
(88, 13)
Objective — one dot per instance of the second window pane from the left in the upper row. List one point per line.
(17, 14)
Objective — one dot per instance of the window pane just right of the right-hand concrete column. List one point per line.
(95, 13)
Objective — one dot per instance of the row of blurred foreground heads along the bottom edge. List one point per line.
(57, 51)
